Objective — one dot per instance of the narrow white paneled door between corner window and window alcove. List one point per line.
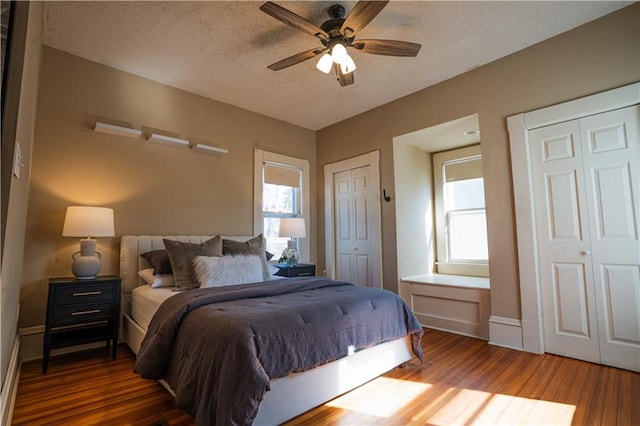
(352, 196)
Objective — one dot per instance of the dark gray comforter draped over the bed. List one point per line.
(219, 347)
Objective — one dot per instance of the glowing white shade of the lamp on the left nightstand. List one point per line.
(83, 221)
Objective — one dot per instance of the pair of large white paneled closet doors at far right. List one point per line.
(585, 179)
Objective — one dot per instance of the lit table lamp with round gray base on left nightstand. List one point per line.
(83, 221)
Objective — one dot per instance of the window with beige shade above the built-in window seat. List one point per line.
(461, 225)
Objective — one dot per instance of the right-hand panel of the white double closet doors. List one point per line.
(611, 157)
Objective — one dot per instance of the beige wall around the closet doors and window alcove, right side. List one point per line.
(601, 55)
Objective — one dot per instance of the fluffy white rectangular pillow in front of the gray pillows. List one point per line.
(218, 271)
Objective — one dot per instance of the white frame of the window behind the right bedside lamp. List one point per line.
(262, 158)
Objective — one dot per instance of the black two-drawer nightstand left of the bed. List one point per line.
(81, 311)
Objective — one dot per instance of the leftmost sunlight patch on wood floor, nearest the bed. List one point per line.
(381, 397)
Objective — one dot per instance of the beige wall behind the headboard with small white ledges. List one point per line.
(154, 189)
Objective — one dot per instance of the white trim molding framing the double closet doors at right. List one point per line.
(519, 126)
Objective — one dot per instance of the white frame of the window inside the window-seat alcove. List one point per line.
(443, 263)
